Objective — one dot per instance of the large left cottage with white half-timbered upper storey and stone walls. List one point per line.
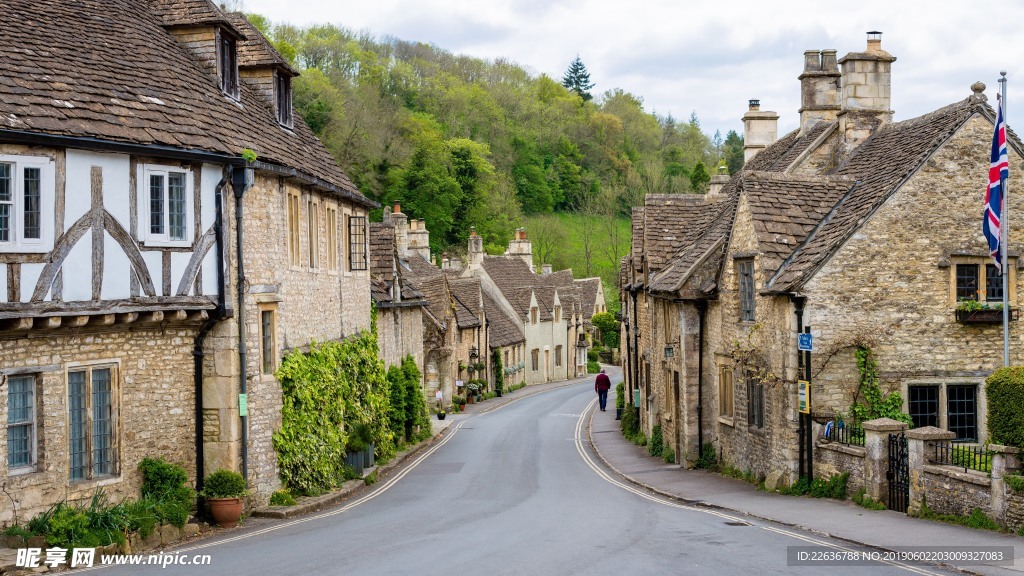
(135, 235)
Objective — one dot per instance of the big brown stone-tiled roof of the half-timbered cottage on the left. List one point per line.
(137, 85)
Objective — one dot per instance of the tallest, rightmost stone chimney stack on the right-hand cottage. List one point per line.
(866, 98)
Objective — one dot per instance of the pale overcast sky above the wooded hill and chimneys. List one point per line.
(704, 57)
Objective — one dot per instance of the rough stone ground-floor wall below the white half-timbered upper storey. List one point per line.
(155, 404)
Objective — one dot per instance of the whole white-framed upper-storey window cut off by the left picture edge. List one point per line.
(26, 201)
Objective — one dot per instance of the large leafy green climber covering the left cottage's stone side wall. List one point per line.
(328, 393)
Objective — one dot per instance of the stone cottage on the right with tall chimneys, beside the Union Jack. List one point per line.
(866, 230)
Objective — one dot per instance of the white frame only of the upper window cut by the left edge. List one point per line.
(18, 242)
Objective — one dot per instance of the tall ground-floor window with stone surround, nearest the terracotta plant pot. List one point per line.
(92, 421)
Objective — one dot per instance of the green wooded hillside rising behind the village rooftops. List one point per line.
(463, 142)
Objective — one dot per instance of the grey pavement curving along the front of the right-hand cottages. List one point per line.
(885, 530)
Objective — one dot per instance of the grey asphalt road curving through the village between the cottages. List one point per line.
(514, 491)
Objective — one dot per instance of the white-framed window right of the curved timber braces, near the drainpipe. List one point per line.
(166, 207)
